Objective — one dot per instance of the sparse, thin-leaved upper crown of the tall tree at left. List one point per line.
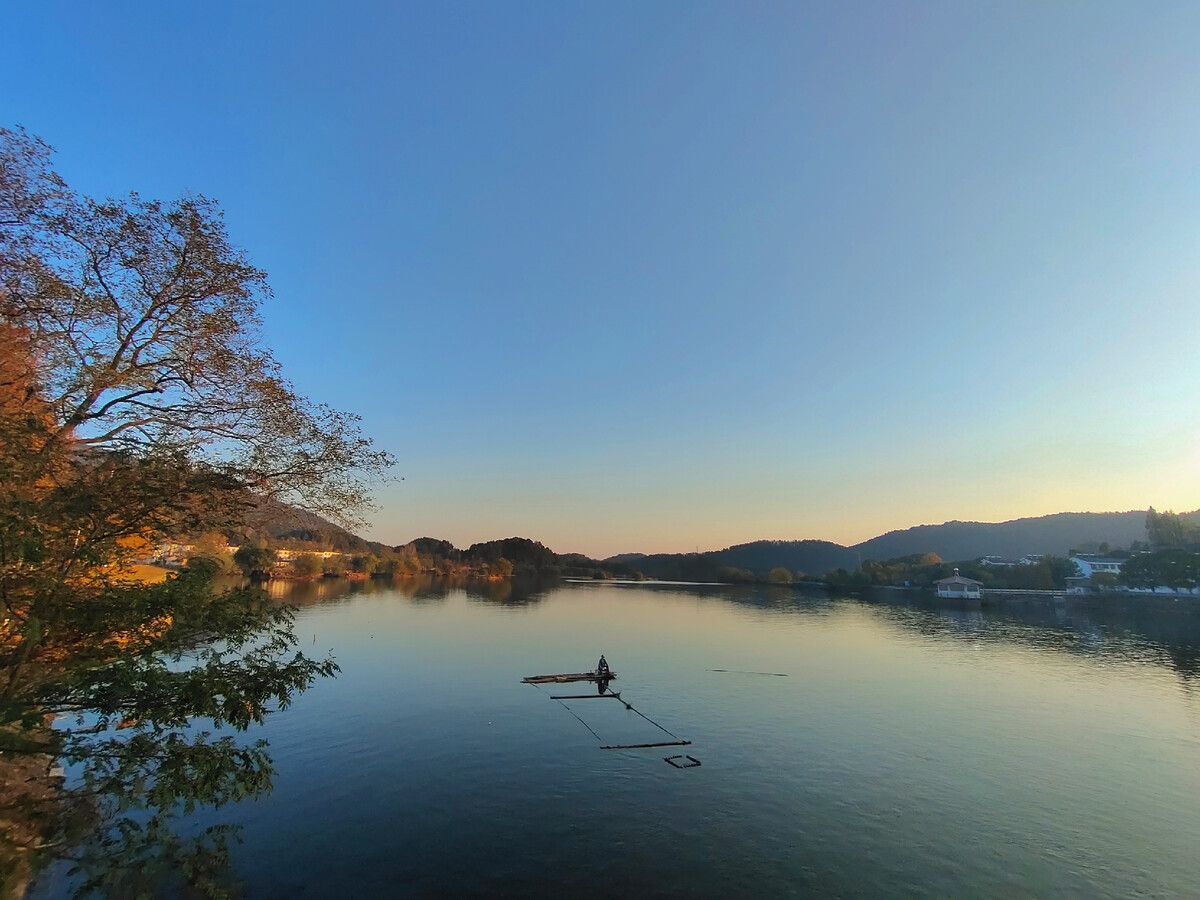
(145, 317)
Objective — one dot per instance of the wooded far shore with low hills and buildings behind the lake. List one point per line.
(1156, 549)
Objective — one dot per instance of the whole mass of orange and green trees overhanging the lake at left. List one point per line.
(137, 405)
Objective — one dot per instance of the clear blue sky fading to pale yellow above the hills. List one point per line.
(668, 277)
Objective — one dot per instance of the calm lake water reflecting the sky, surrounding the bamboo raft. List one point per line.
(908, 753)
